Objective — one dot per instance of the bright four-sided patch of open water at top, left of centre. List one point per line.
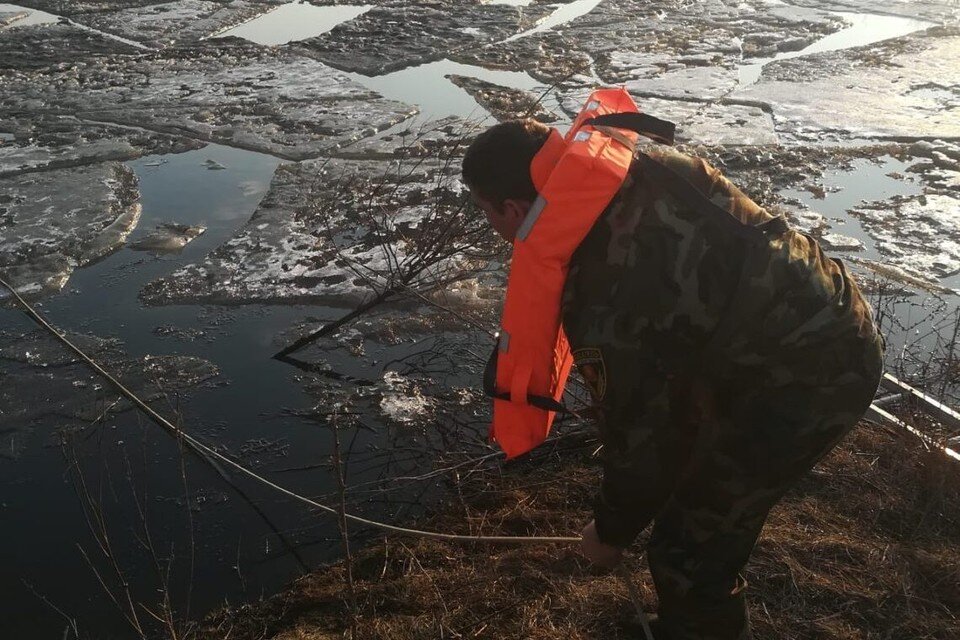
(294, 21)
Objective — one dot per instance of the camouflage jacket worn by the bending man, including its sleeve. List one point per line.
(696, 283)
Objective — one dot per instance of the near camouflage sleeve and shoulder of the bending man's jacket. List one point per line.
(645, 290)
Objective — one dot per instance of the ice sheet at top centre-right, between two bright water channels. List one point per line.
(660, 48)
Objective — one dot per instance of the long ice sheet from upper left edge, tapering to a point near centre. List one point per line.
(228, 91)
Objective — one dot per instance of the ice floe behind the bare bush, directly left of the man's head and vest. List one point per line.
(329, 232)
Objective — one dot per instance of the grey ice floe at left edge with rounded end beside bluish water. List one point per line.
(53, 222)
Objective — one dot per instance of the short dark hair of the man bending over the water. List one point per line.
(496, 166)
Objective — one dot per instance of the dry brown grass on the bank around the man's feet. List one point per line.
(867, 547)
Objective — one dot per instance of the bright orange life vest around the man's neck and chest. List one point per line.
(576, 177)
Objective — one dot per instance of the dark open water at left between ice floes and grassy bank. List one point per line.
(41, 510)
